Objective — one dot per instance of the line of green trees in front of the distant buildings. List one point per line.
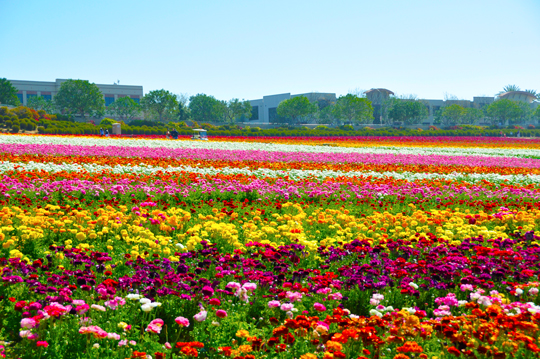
(84, 99)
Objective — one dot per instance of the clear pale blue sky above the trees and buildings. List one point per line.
(247, 49)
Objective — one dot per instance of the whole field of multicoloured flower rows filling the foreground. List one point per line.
(402, 247)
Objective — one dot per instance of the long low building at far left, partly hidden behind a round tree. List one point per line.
(47, 90)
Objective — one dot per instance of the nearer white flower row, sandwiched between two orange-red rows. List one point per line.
(263, 172)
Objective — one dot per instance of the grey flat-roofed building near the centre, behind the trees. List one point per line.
(265, 110)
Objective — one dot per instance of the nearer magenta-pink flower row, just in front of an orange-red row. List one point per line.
(281, 188)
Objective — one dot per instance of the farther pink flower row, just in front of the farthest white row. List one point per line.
(264, 156)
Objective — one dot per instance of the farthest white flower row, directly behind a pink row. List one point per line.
(257, 146)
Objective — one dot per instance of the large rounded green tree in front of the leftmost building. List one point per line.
(79, 97)
